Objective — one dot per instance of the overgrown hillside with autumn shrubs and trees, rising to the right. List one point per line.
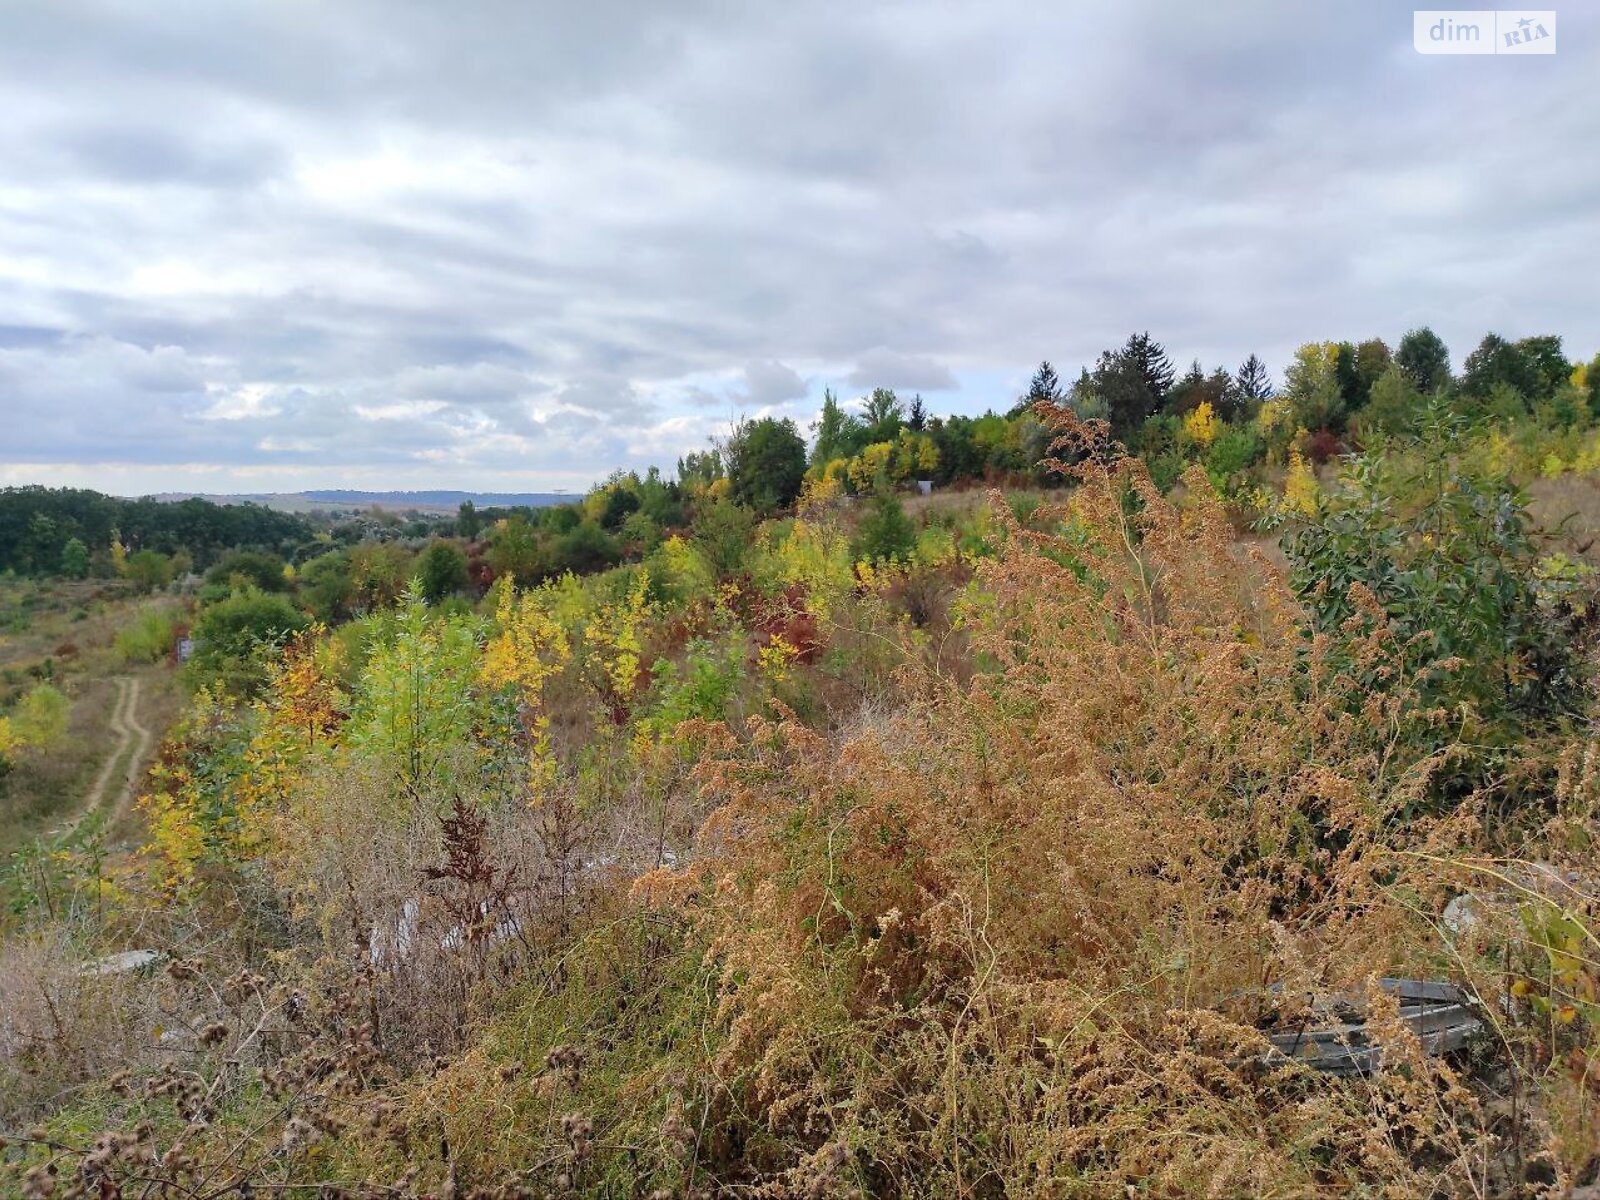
(817, 842)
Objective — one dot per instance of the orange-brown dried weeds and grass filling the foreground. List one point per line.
(1012, 927)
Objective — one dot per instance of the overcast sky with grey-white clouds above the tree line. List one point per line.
(518, 246)
